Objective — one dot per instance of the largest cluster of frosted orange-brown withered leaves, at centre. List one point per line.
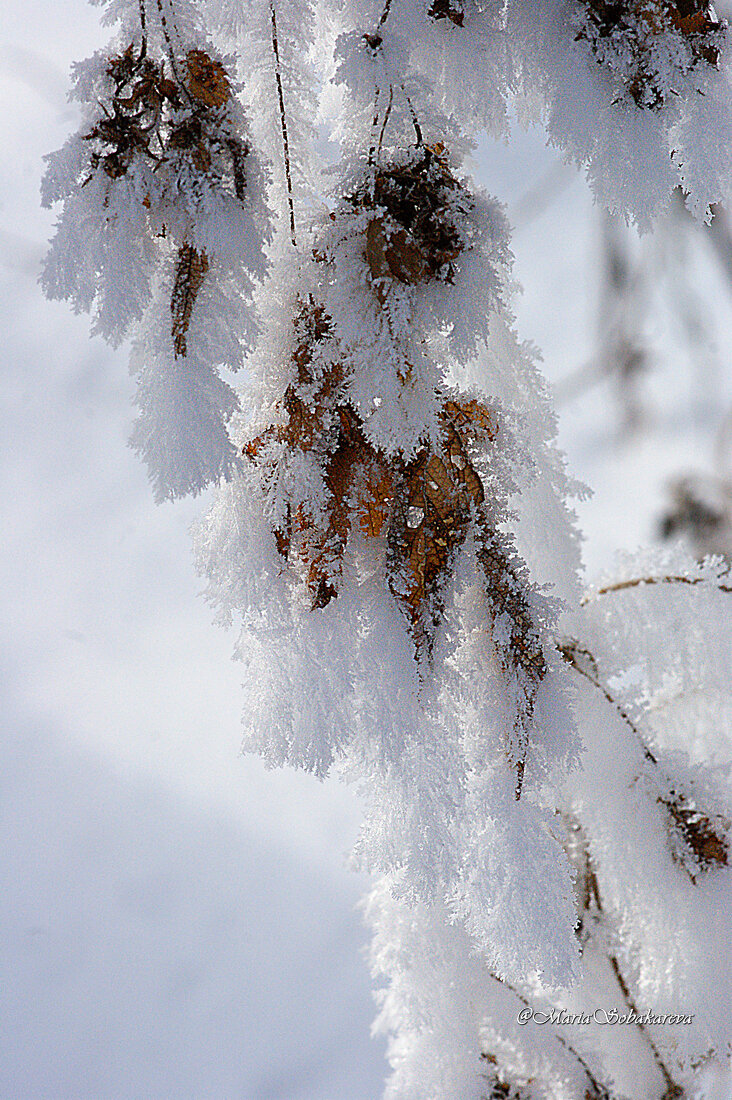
(425, 508)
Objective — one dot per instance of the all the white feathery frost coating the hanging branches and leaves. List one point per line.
(479, 904)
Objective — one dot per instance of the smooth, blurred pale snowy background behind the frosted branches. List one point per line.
(177, 922)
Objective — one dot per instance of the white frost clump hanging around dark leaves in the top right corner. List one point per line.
(635, 156)
